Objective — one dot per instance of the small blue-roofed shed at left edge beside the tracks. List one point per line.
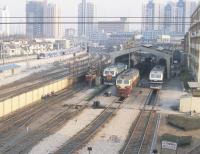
(8, 70)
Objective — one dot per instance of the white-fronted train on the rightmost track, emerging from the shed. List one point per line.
(156, 77)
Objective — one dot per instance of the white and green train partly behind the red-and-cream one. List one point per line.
(110, 73)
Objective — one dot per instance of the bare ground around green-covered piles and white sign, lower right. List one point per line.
(170, 96)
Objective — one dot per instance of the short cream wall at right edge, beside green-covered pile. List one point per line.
(189, 103)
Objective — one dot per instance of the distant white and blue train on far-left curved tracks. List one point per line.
(58, 53)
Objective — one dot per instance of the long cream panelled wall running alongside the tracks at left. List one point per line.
(10, 105)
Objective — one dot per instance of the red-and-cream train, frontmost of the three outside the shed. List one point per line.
(126, 82)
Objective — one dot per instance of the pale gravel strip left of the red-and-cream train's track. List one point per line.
(55, 141)
